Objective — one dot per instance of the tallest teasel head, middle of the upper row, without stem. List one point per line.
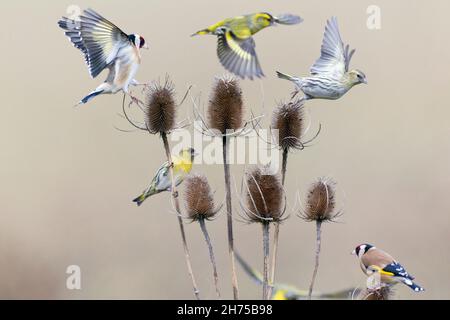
(225, 111)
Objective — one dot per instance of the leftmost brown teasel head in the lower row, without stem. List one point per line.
(199, 199)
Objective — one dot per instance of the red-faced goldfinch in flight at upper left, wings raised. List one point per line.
(105, 46)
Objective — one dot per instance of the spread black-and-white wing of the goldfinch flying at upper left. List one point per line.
(98, 39)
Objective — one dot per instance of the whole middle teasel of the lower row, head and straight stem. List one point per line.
(264, 203)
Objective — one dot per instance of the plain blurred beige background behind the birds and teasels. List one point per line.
(68, 176)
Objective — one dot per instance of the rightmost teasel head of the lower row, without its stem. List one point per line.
(320, 203)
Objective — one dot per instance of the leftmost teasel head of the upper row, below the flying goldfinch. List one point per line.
(160, 107)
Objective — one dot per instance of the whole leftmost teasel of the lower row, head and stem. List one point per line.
(200, 207)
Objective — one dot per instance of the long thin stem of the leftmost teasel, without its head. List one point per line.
(180, 220)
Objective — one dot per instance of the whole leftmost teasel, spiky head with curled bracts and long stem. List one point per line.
(160, 111)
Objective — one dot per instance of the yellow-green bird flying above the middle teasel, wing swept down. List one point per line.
(236, 47)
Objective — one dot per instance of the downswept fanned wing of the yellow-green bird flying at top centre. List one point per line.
(238, 55)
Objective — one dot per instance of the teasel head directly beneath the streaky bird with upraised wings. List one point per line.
(289, 119)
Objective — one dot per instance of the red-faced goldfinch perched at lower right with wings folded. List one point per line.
(375, 261)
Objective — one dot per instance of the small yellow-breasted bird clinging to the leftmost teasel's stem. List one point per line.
(182, 165)
